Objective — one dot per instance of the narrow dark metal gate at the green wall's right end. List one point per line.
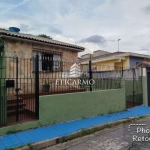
(133, 90)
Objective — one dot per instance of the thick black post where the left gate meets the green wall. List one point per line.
(37, 85)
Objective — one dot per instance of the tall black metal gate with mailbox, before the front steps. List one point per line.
(19, 90)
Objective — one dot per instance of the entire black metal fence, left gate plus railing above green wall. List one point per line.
(23, 80)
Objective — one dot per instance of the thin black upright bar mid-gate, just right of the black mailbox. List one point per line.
(17, 113)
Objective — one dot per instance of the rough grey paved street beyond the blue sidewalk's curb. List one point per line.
(115, 138)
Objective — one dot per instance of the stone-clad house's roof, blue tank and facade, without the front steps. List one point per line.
(55, 58)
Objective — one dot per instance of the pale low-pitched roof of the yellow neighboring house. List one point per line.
(114, 55)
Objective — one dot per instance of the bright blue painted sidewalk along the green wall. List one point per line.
(63, 129)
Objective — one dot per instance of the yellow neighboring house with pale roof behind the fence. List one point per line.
(102, 60)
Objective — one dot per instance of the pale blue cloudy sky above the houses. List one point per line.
(93, 24)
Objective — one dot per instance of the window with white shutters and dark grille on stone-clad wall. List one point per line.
(48, 62)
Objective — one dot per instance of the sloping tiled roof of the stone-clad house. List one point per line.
(4, 33)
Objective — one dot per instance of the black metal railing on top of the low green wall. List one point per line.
(65, 77)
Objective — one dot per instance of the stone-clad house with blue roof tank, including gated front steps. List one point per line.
(29, 67)
